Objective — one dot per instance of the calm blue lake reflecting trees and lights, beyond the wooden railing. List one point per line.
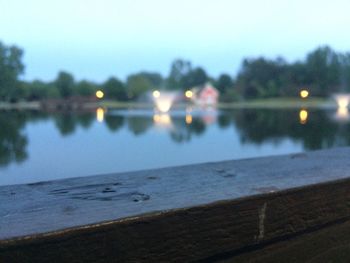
(37, 146)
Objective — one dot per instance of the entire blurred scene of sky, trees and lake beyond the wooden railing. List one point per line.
(92, 87)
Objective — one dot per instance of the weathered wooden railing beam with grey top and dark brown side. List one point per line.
(202, 212)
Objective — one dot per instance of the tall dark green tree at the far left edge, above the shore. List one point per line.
(11, 67)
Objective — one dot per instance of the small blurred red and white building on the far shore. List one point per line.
(205, 95)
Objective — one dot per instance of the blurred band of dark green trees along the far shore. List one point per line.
(323, 71)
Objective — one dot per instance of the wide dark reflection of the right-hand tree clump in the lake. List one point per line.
(272, 126)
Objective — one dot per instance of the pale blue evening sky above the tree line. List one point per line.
(96, 39)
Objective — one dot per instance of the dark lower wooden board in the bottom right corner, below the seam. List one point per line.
(329, 244)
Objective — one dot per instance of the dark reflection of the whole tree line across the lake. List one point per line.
(320, 128)
